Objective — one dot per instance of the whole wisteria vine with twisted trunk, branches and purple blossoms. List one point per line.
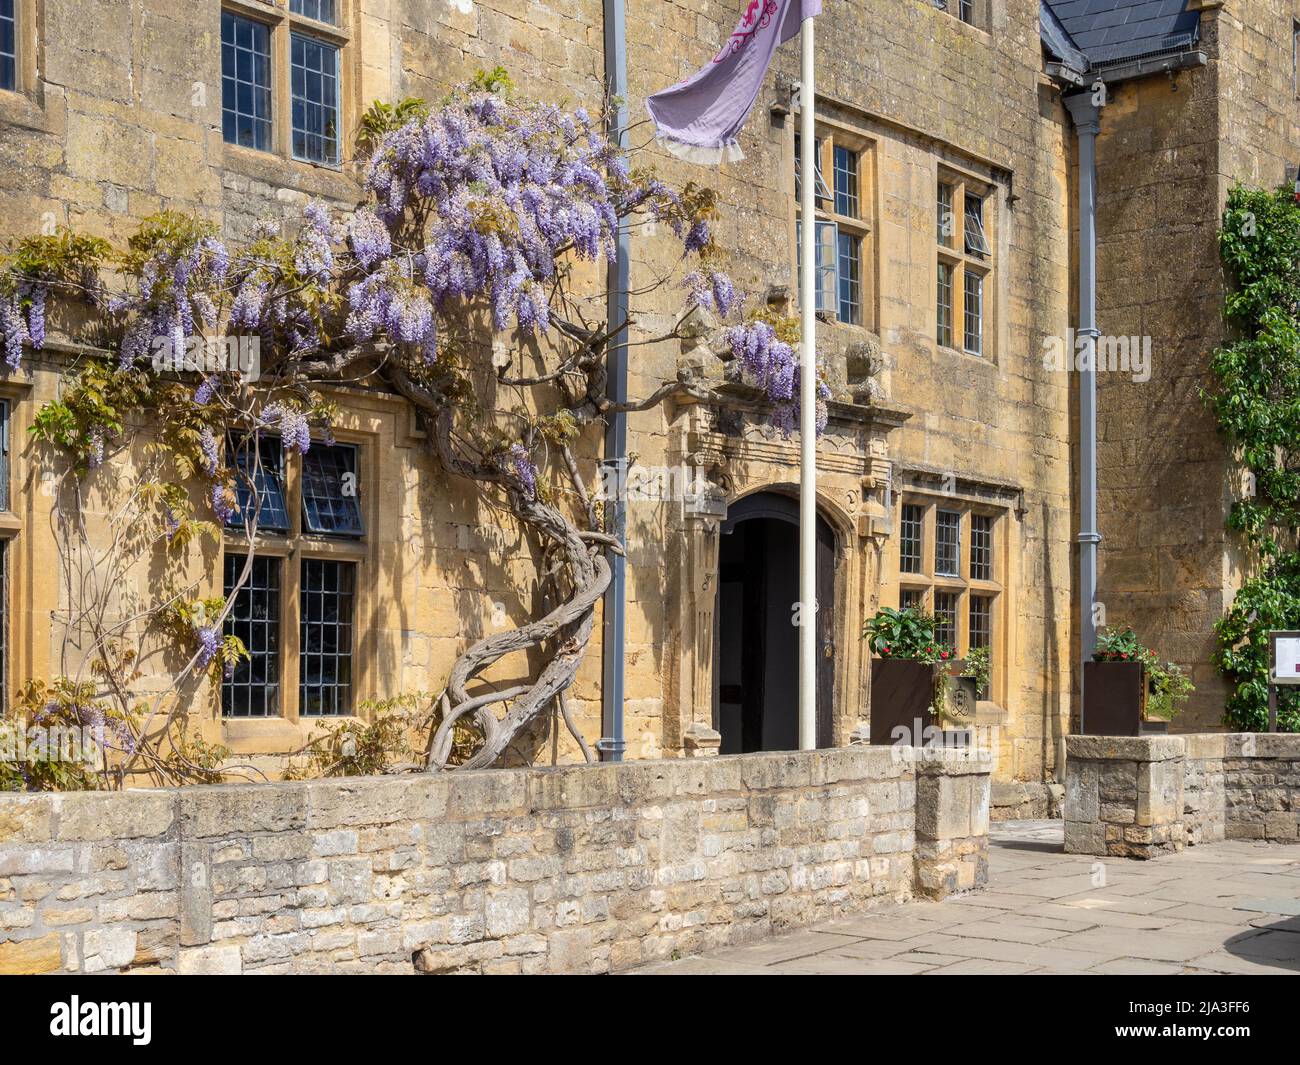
(475, 214)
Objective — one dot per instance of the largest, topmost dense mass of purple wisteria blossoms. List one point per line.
(512, 188)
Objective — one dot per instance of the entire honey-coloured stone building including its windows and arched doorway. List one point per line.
(950, 263)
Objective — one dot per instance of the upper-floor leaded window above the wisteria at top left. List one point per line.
(283, 80)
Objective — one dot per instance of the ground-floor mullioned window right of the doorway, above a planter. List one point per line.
(950, 568)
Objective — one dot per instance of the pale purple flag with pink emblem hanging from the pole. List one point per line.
(701, 118)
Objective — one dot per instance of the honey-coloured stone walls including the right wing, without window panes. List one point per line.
(119, 115)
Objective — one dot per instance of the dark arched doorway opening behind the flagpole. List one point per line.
(756, 657)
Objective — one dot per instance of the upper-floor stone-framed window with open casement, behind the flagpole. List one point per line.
(840, 228)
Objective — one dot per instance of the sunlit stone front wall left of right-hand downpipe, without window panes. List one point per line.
(124, 119)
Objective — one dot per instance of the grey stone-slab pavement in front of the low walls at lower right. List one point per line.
(1217, 908)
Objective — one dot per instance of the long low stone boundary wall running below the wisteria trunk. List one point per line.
(567, 871)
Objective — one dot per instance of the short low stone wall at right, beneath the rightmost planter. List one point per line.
(1145, 796)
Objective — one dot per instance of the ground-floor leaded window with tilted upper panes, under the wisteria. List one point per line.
(297, 583)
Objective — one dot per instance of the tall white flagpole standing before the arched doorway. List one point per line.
(808, 399)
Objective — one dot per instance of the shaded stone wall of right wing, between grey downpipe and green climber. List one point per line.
(1169, 151)
